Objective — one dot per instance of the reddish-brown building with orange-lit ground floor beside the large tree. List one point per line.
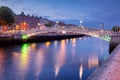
(23, 21)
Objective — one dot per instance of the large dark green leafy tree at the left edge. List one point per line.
(6, 16)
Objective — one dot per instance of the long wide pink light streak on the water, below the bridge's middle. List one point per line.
(60, 57)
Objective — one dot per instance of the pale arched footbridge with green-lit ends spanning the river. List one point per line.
(67, 30)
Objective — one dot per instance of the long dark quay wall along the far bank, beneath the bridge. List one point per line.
(9, 40)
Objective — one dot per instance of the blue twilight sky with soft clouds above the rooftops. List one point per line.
(92, 12)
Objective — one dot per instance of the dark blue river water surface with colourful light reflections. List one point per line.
(69, 59)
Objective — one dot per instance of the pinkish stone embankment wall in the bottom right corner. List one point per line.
(110, 69)
